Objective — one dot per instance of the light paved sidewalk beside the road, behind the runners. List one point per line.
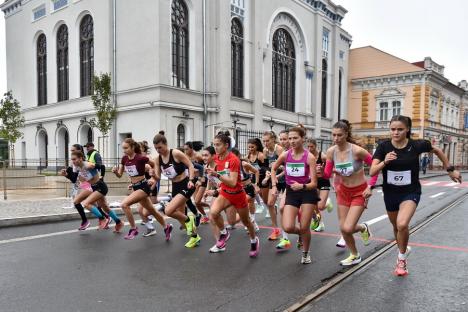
(30, 207)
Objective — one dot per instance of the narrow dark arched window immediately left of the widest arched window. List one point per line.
(237, 58)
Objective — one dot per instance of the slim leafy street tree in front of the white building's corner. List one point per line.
(105, 110)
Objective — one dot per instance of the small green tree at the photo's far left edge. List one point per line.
(12, 121)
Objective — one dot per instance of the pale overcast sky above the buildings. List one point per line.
(409, 29)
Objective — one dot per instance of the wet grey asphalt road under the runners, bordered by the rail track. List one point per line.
(63, 270)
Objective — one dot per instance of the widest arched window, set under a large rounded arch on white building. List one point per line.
(284, 71)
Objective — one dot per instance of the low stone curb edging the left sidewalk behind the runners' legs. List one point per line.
(12, 222)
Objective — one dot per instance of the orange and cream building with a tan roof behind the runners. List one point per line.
(382, 85)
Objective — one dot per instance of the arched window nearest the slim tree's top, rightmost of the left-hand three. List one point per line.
(86, 55)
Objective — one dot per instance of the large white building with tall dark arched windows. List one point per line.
(189, 67)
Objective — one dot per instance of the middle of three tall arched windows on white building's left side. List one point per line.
(62, 63)
